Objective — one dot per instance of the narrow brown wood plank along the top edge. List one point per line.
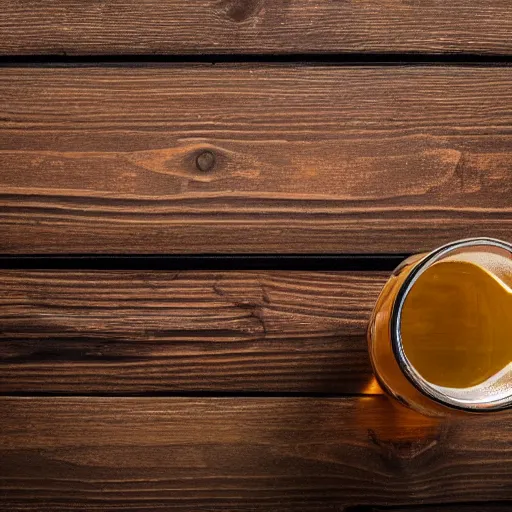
(255, 26)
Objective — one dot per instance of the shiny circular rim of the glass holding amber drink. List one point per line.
(406, 367)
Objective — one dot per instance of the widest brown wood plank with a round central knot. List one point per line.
(256, 158)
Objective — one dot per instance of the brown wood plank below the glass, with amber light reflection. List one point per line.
(244, 454)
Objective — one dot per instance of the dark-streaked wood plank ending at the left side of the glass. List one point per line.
(149, 332)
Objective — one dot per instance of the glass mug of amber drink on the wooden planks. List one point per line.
(440, 336)
